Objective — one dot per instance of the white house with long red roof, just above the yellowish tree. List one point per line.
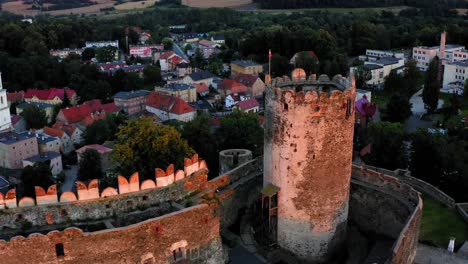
(167, 107)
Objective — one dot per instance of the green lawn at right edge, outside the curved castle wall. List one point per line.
(439, 223)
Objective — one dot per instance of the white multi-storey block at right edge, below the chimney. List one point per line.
(455, 75)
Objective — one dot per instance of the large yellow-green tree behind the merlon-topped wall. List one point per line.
(143, 146)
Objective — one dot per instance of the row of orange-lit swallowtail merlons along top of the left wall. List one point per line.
(91, 191)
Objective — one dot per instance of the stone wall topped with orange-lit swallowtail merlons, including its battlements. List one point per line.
(89, 204)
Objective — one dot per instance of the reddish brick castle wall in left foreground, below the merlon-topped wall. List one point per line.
(195, 230)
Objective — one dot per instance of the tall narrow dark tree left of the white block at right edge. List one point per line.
(431, 86)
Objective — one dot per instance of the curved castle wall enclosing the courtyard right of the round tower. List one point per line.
(381, 204)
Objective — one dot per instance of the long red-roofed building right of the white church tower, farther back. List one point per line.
(52, 96)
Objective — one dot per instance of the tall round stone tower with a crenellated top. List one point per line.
(307, 161)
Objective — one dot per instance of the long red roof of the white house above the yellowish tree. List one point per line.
(168, 103)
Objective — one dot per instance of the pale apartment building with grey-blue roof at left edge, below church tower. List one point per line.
(15, 147)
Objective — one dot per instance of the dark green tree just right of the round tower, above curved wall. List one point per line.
(387, 149)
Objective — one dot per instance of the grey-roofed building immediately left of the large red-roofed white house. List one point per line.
(131, 102)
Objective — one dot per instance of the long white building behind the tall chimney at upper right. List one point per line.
(424, 55)
